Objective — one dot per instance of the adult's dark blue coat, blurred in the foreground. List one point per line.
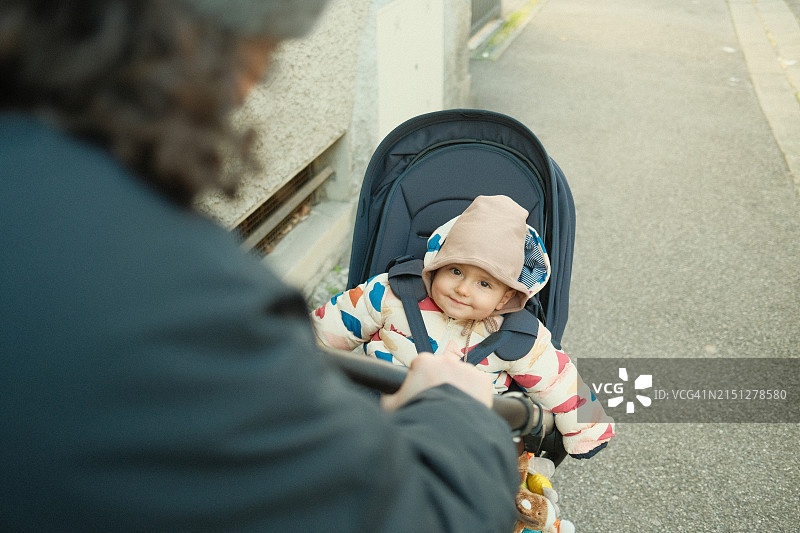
(154, 378)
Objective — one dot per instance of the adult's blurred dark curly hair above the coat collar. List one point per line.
(146, 79)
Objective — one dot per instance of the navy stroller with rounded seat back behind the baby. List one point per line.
(428, 170)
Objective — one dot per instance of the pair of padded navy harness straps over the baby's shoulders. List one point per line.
(512, 341)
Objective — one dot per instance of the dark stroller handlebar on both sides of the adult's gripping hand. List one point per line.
(522, 415)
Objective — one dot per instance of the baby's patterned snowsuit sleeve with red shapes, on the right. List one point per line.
(549, 377)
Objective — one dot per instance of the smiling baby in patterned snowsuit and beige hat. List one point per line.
(479, 267)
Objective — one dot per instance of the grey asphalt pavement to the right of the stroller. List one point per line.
(688, 238)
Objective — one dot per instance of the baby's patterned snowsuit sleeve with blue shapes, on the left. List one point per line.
(352, 317)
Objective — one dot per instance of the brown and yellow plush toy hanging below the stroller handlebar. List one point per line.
(537, 502)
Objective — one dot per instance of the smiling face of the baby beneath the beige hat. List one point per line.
(468, 292)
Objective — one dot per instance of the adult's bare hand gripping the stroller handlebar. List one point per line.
(427, 371)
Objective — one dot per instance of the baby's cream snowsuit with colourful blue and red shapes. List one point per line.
(371, 317)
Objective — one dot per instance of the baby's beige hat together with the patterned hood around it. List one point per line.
(492, 234)
